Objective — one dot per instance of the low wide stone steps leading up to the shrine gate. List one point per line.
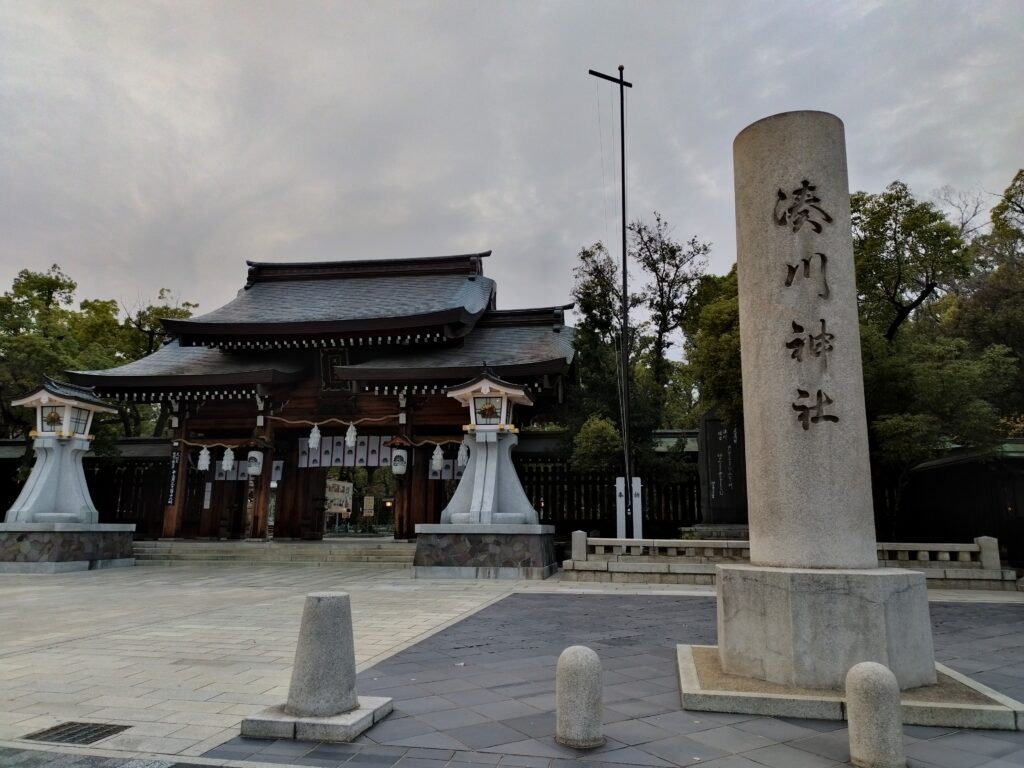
(330, 552)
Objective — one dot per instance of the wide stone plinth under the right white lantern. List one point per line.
(485, 551)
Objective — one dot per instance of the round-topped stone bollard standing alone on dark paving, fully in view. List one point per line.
(578, 699)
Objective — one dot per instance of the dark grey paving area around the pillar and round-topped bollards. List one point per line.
(498, 664)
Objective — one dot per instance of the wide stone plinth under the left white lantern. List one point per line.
(62, 547)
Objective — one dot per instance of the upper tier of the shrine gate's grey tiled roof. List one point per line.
(444, 294)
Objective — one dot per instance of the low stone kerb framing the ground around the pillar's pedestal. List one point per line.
(955, 702)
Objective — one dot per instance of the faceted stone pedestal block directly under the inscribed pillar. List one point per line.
(807, 627)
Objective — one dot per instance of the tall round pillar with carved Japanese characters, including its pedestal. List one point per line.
(814, 603)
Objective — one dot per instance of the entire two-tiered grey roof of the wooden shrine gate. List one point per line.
(387, 321)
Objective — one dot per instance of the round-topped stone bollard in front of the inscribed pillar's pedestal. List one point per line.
(875, 717)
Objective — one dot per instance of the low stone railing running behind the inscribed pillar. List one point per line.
(692, 562)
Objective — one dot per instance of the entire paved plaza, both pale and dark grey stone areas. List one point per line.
(183, 654)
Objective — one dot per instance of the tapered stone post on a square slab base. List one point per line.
(323, 704)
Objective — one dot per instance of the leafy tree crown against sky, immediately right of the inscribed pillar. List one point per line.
(906, 251)
